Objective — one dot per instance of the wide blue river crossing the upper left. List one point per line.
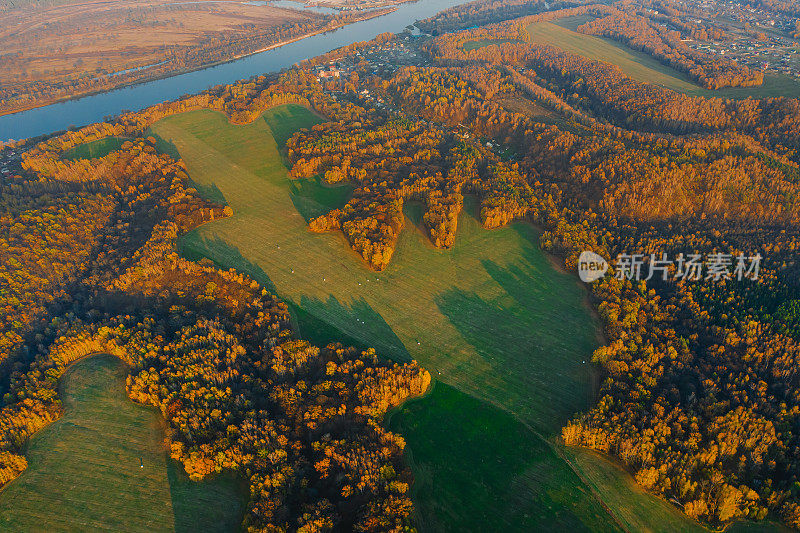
(89, 109)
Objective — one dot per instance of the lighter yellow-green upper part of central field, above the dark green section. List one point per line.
(490, 316)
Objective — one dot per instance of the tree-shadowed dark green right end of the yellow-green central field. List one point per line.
(532, 338)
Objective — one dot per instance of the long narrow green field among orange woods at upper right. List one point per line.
(642, 67)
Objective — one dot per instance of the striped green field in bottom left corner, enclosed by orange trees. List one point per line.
(85, 473)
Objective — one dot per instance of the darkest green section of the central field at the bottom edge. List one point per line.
(477, 468)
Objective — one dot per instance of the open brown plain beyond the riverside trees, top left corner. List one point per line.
(98, 38)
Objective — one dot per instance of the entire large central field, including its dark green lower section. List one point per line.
(507, 336)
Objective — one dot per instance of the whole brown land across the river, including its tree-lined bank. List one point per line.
(58, 50)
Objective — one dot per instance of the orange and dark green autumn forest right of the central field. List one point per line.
(701, 395)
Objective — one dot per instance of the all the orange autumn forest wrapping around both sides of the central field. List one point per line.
(701, 392)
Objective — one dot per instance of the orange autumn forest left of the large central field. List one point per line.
(89, 266)
